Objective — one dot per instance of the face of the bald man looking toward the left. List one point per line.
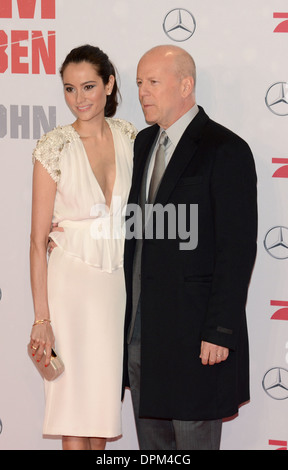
(160, 89)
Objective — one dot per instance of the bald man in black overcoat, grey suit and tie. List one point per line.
(186, 345)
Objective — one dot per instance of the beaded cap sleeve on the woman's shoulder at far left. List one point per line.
(48, 149)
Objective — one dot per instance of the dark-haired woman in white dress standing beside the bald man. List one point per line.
(81, 180)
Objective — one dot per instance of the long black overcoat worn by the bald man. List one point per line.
(200, 294)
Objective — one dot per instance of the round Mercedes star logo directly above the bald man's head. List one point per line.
(179, 24)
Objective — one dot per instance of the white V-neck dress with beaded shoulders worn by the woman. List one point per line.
(86, 289)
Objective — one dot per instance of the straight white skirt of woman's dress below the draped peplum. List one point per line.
(87, 308)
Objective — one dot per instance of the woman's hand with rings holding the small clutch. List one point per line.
(42, 339)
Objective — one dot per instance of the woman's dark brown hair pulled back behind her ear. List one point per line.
(104, 68)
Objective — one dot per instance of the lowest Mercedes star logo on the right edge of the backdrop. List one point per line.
(275, 383)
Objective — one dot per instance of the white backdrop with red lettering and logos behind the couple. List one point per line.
(240, 51)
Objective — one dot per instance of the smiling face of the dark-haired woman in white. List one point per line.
(85, 92)
